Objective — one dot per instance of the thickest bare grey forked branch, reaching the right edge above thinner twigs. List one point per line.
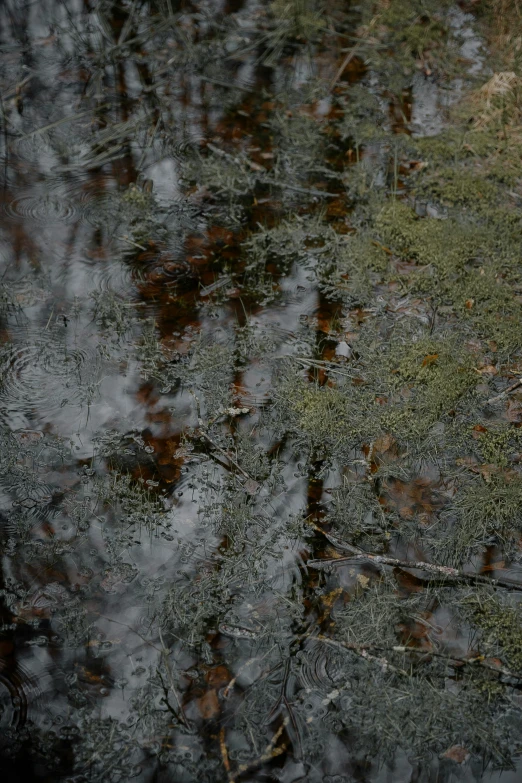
(454, 574)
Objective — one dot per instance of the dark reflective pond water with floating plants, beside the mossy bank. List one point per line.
(178, 179)
